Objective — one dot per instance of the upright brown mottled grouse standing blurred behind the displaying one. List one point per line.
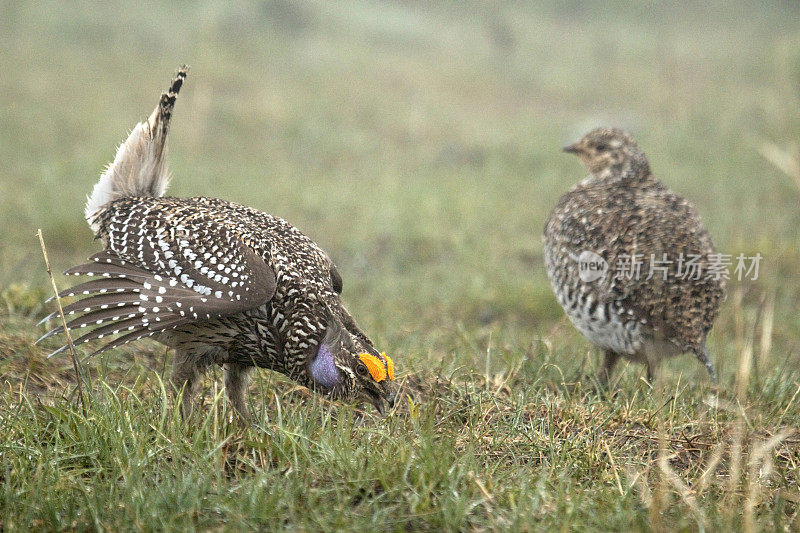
(647, 305)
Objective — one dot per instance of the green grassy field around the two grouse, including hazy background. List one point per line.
(419, 144)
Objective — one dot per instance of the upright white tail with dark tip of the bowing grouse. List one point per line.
(139, 168)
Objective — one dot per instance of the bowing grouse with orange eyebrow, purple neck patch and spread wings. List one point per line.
(219, 282)
